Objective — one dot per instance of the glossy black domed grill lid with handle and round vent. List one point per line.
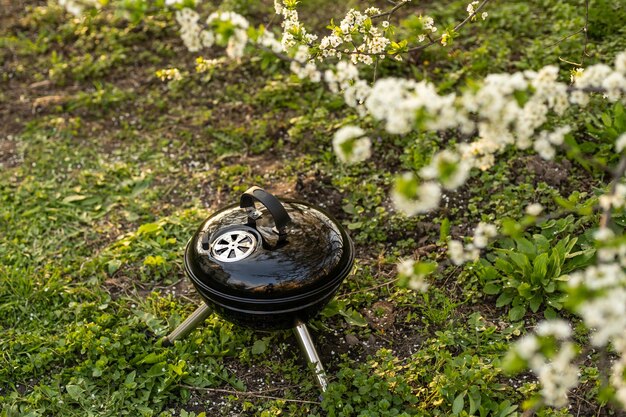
(283, 248)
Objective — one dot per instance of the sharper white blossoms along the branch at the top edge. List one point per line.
(357, 36)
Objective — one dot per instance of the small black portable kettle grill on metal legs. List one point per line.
(270, 267)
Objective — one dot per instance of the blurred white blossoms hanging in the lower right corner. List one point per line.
(603, 311)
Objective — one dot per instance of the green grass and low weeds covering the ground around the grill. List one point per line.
(102, 186)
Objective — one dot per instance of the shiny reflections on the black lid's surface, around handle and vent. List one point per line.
(311, 256)
